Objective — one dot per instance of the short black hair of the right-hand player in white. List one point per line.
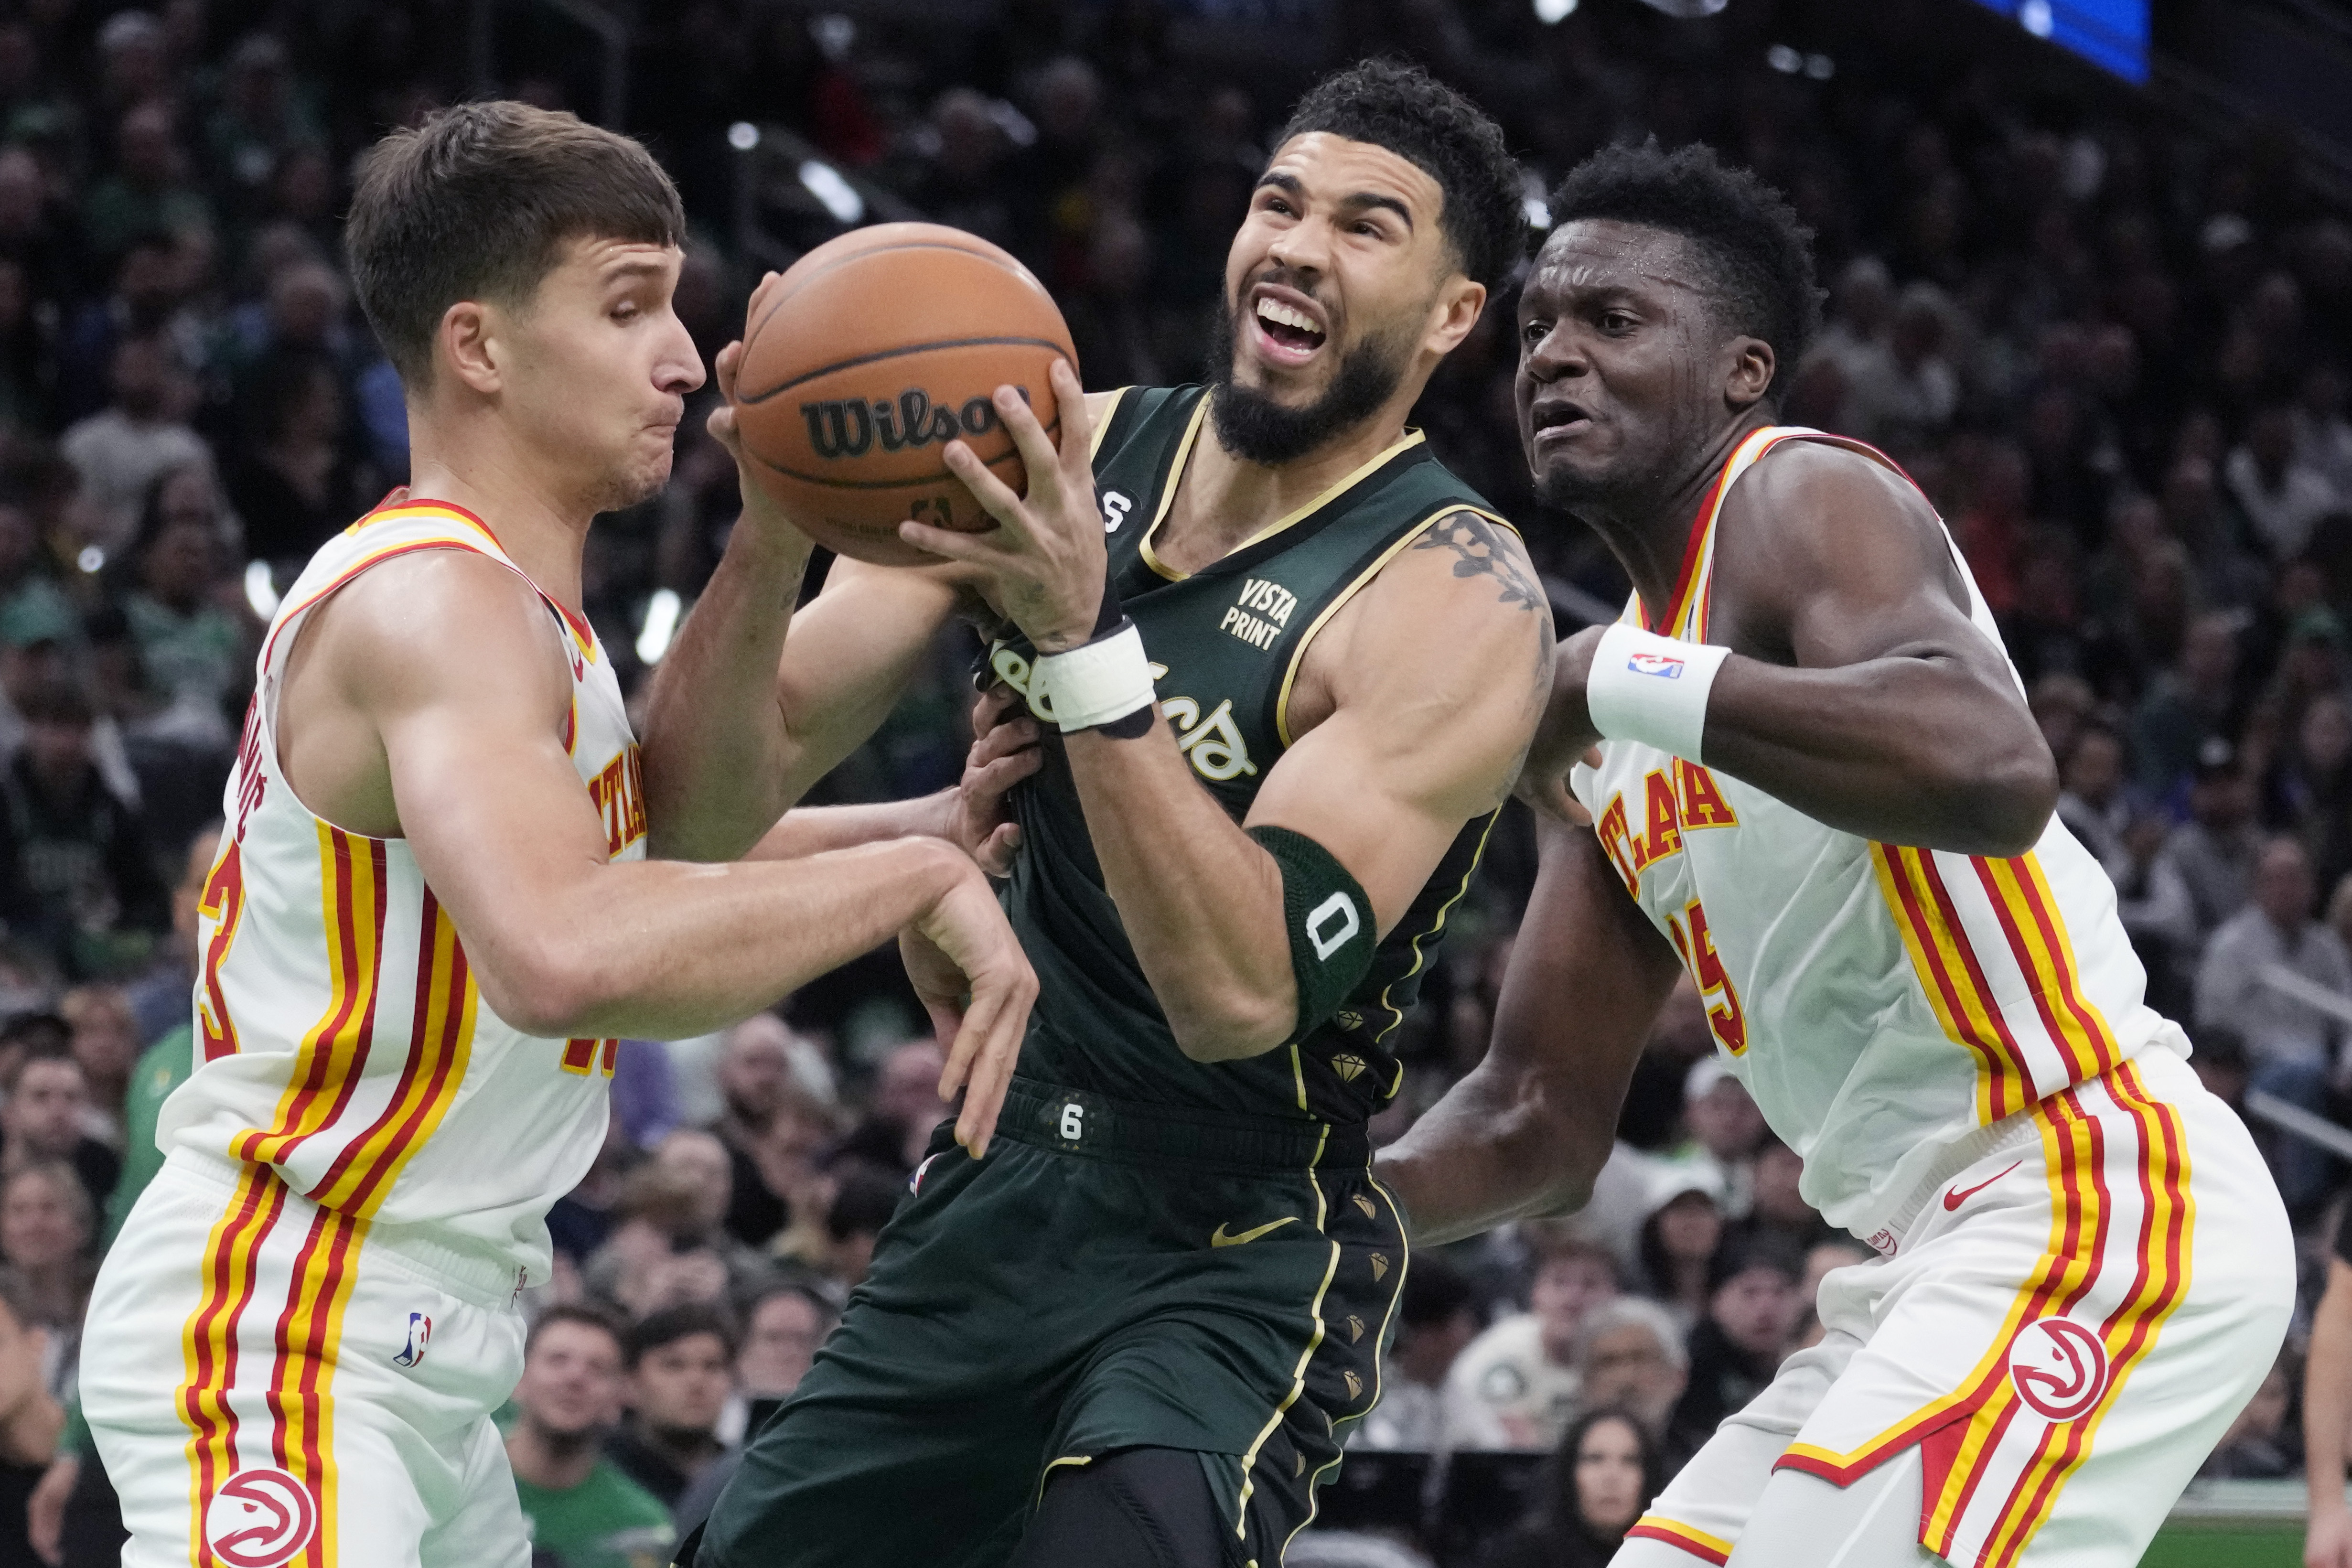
(1756, 248)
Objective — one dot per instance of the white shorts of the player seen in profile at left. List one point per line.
(281, 1386)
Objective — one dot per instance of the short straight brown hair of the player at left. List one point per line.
(476, 203)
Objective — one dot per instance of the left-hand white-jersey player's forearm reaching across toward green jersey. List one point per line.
(664, 951)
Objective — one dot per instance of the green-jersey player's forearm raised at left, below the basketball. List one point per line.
(716, 742)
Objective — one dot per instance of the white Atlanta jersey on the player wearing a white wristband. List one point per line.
(1880, 1003)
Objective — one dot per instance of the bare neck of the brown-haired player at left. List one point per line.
(476, 469)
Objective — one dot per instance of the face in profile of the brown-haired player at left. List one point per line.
(599, 370)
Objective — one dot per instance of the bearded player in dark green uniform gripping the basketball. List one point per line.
(1278, 723)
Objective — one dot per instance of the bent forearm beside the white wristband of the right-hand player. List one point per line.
(1904, 751)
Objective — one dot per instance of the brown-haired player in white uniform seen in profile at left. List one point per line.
(432, 909)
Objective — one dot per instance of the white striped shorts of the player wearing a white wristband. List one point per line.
(2062, 1334)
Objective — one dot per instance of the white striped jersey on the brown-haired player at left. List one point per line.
(340, 1031)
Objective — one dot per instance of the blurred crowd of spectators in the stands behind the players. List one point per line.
(2111, 349)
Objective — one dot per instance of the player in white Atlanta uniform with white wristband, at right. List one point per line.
(1822, 796)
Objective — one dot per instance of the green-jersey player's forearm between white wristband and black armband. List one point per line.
(1198, 897)
